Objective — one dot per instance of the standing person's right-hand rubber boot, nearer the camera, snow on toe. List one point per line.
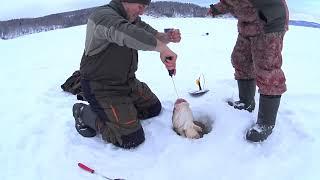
(268, 110)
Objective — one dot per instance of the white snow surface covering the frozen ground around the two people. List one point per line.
(38, 140)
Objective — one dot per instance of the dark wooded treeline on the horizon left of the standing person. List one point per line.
(18, 27)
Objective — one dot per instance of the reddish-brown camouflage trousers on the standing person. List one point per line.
(259, 57)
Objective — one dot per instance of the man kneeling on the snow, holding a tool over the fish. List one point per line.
(118, 100)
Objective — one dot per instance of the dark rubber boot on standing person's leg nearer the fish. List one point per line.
(247, 90)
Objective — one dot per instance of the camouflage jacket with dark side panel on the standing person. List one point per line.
(255, 16)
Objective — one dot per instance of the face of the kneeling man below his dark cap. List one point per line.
(134, 10)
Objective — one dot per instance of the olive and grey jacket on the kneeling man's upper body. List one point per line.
(110, 56)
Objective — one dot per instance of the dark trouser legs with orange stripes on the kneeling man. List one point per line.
(119, 114)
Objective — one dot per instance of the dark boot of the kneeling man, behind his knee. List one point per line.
(85, 120)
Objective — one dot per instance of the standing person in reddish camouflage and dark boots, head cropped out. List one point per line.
(257, 58)
